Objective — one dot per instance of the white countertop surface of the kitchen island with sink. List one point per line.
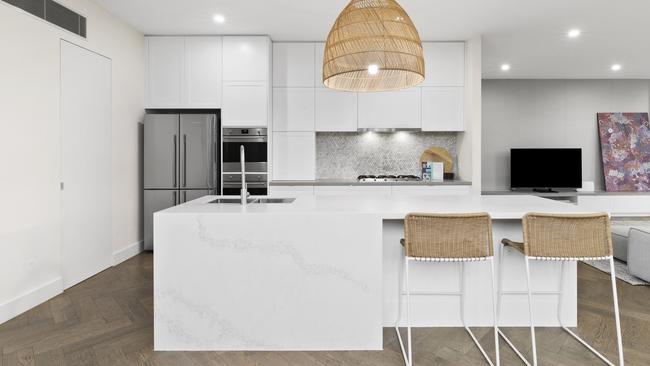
(387, 207)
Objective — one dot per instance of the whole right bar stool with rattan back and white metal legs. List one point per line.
(564, 238)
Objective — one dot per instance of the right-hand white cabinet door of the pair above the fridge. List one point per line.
(203, 72)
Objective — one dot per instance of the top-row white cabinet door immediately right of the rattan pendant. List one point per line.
(444, 63)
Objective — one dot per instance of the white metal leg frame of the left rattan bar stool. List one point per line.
(407, 351)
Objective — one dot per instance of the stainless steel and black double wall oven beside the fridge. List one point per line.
(255, 142)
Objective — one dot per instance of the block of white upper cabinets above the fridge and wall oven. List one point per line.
(231, 73)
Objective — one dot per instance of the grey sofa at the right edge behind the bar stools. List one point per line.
(632, 245)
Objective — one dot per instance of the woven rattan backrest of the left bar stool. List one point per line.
(450, 236)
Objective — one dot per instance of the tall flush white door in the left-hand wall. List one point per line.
(86, 247)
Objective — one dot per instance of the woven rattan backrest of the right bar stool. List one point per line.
(567, 235)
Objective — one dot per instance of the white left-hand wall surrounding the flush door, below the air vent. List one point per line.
(30, 150)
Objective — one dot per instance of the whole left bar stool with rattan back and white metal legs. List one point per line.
(446, 238)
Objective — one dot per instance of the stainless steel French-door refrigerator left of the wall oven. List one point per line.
(180, 162)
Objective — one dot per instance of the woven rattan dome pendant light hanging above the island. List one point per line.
(373, 46)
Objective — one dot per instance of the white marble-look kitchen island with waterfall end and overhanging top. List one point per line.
(321, 273)
